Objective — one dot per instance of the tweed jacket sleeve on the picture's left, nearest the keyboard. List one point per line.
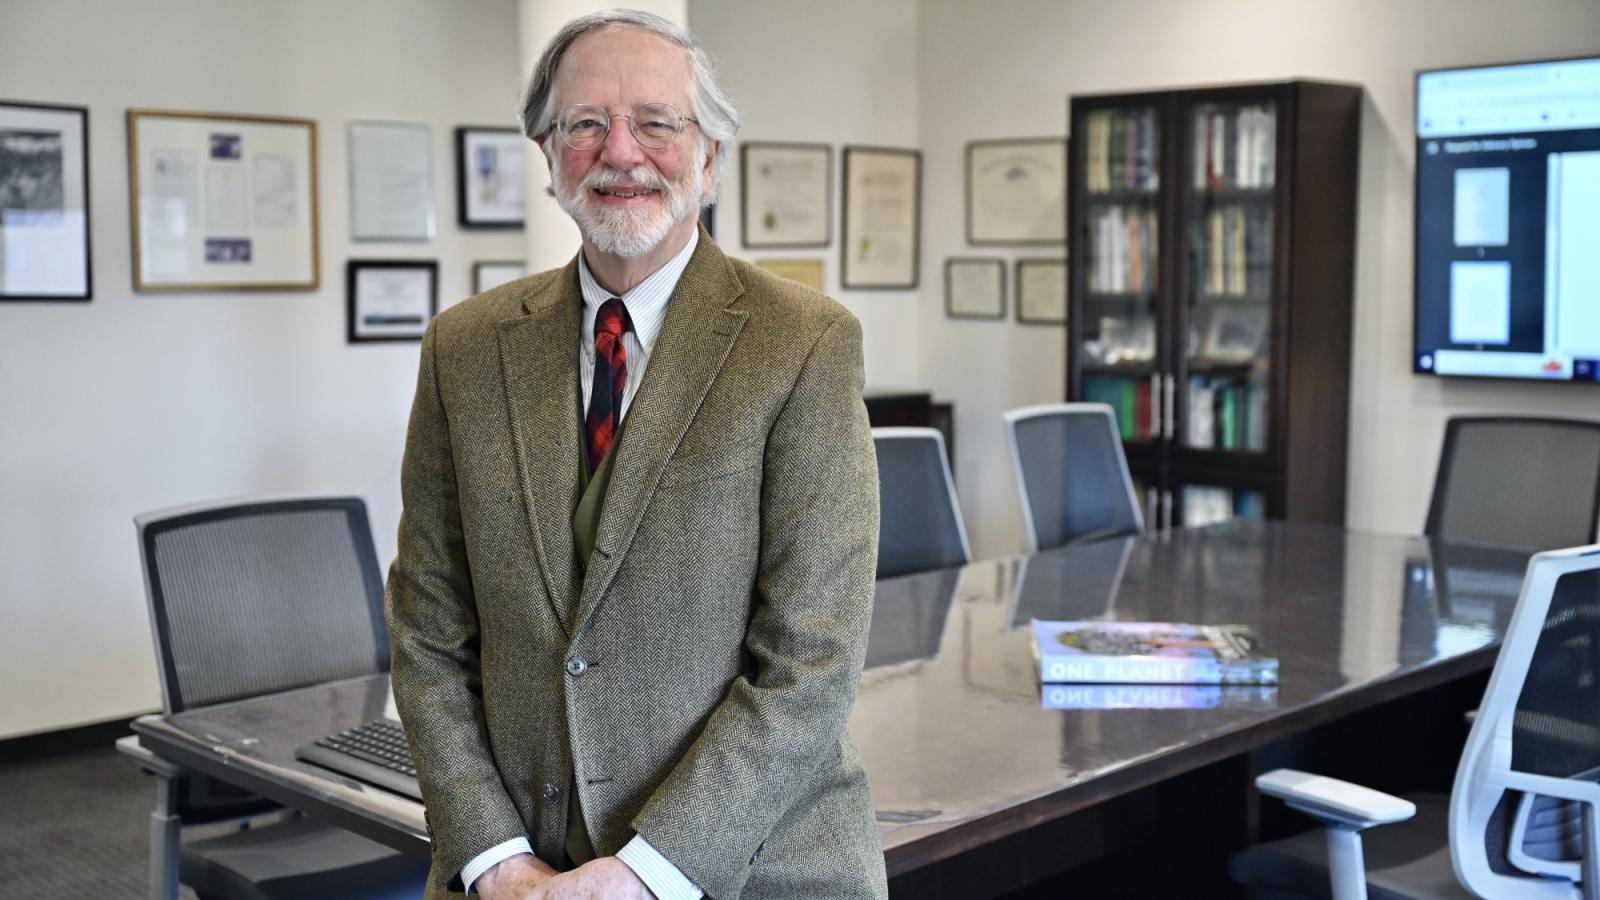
(434, 635)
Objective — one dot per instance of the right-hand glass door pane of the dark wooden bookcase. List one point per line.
(1228, 297)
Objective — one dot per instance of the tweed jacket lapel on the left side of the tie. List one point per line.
(540, 369)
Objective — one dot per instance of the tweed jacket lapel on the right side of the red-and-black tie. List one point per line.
(695, 340)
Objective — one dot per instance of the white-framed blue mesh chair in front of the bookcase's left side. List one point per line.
(1071, 475)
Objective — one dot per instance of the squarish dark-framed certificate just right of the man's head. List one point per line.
(785, 195)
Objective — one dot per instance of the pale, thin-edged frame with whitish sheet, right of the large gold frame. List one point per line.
(391, 182)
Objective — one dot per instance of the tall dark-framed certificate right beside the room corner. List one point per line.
(882, 219)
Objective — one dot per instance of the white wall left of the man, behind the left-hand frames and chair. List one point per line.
(135, 403)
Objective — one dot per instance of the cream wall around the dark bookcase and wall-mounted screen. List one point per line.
(1006, 70)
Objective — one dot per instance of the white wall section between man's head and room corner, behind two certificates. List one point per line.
(834, 73)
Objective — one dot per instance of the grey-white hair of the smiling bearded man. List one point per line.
(710, 105)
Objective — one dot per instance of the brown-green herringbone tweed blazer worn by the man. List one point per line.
(694, 681)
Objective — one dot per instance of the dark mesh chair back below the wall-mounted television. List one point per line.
(1532, 483)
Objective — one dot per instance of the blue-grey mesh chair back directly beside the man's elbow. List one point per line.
(921, 521)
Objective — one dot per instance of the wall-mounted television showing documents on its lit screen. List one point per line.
(1508, 222)
